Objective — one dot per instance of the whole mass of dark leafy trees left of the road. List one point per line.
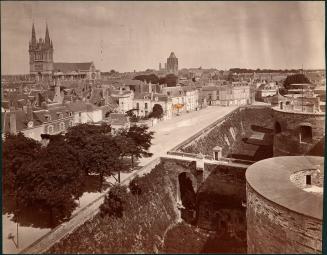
(51, 177)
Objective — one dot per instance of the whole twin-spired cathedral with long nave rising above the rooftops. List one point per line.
(43, 67)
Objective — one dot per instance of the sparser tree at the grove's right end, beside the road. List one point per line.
(141, 138)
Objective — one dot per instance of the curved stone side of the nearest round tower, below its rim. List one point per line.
(275, 229)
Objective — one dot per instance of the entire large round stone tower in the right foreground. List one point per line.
(283, 217)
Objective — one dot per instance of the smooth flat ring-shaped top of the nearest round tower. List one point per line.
(271, 179)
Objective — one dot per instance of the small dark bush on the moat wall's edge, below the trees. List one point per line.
(115, 202)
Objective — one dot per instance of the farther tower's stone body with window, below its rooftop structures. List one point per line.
(288, 140)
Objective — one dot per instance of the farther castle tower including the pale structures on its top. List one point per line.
(299, 127)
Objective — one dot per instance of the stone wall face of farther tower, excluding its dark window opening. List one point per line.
(287, 142)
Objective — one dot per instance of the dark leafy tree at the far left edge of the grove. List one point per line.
(17, 152)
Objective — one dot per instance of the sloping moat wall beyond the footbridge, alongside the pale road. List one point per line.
(230, 131)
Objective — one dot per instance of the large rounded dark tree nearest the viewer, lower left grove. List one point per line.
(51, 181)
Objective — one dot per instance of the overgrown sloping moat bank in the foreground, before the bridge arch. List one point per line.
(144, 219)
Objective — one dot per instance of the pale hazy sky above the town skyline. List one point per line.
(139, 35)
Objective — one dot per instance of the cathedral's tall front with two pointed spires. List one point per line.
(41, 55)
